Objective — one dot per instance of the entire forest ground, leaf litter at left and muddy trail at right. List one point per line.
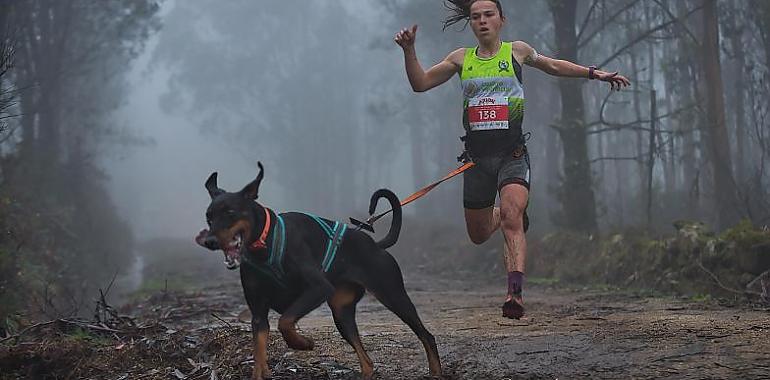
(568, 333)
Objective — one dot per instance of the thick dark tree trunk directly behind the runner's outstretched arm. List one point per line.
(577, 196)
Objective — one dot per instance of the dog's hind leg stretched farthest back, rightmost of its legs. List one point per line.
(388, 288)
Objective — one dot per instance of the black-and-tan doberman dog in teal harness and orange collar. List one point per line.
(304, 277)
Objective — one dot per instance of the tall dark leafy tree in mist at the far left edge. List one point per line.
(70, 64)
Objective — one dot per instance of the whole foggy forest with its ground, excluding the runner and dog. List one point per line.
(648, 249)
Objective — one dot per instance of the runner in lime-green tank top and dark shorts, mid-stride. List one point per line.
(493, 111)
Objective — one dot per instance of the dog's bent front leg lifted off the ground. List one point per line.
(318, 290)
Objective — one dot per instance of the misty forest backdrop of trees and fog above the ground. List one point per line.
(113, 114)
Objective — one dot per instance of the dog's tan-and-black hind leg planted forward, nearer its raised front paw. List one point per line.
(343, 306)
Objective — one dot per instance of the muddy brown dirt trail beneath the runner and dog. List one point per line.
(567, 334)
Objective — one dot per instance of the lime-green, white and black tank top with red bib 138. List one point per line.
(493, 101)
